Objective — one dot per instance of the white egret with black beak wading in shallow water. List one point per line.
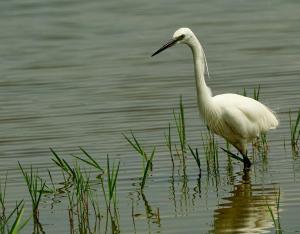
(236, 118)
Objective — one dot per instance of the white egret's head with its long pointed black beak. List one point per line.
(182, 35)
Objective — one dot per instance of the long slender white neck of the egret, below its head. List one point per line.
(204, 95)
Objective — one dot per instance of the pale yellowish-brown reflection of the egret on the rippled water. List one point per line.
(246, 210)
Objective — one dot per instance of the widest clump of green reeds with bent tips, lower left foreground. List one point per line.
(82, 196)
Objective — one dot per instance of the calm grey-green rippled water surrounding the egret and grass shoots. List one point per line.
(78, 73)
